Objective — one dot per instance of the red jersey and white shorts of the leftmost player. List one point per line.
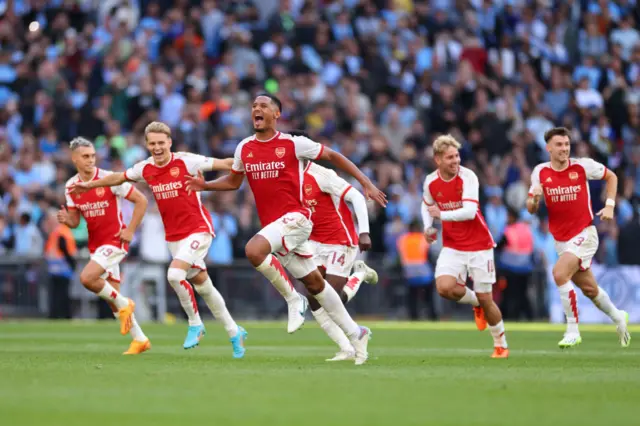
(102, 210)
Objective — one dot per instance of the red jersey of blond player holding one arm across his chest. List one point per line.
(468, 235)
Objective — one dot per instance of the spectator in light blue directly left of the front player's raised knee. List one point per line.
(226, 228)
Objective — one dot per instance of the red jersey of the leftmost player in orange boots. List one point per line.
(102, 210)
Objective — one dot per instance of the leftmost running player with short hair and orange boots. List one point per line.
(109, 238)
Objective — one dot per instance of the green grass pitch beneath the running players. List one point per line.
(418, 374)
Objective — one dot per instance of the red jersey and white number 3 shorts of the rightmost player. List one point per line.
(568, 201)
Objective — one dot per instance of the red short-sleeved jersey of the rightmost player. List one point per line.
(567, 196)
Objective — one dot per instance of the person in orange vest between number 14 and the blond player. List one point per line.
(413, 251)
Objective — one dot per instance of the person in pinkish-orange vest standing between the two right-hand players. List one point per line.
(516, 263)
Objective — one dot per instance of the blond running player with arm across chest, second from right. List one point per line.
(451, 195)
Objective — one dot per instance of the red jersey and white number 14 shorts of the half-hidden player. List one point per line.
(334, 235)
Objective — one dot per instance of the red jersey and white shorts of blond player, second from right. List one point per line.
(467, 243)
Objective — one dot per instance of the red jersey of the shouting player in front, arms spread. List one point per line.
(275, 170)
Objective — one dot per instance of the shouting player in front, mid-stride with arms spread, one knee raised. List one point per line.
(274, 165)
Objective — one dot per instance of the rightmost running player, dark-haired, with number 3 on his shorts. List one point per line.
(564, 184)
